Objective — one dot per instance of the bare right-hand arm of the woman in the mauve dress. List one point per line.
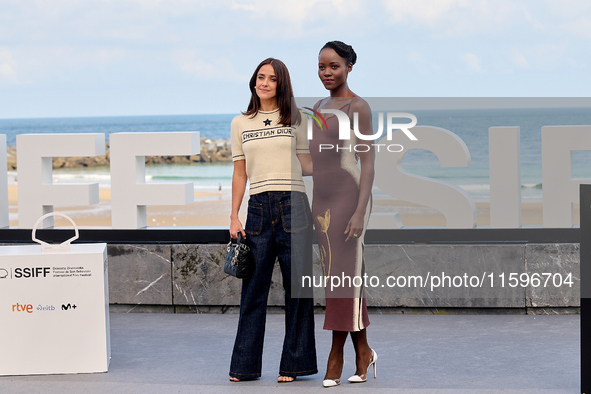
(356, 223)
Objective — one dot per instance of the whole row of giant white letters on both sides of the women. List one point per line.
(131, 194)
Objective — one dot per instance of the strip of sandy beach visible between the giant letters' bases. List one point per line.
(213, 209)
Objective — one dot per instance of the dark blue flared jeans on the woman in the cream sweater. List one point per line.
(278, 226)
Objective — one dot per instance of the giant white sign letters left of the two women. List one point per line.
(129, 192)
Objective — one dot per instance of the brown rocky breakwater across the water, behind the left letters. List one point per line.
(211, 151)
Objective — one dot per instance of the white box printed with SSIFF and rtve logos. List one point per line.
(54, 309)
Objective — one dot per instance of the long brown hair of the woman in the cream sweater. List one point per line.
(284, 93)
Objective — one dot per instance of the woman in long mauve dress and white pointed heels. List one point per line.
(341, 208)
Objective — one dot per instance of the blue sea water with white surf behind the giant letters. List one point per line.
(470, 125)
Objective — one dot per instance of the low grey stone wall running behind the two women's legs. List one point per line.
(191, 276)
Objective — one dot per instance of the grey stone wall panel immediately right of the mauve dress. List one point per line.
(443, 275)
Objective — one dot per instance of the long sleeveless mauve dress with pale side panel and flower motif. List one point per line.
(336, 192)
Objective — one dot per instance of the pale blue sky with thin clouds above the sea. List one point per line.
(63, 58)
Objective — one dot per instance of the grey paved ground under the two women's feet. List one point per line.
(190, 353)
